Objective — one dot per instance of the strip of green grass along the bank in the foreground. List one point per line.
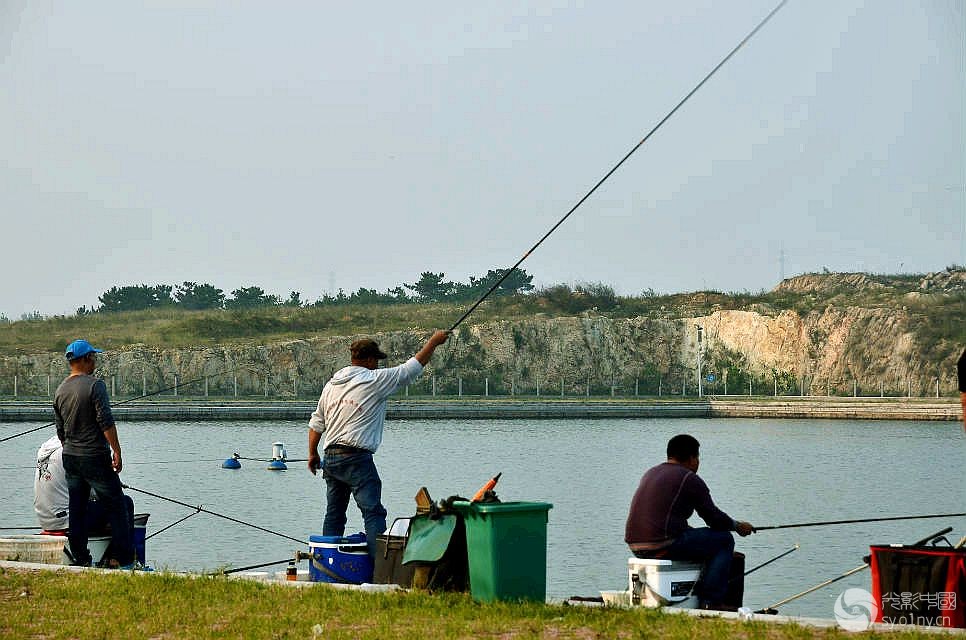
(87, 605)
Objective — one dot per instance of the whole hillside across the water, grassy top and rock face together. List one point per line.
(815, 334)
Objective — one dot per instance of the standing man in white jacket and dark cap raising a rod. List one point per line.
(350, 418)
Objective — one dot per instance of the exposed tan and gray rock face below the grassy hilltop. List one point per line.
(874, 349)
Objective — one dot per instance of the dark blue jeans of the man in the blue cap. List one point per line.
(95, 472)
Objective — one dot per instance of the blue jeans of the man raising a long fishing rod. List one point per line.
(355, 474)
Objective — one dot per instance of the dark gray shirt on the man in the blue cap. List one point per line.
(82, 412)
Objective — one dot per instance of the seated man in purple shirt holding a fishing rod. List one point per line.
(657, 525)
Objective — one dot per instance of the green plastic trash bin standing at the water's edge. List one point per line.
(506, 546)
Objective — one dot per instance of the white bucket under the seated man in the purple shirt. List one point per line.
(663, 583)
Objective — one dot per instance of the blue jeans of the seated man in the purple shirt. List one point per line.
(712, 548)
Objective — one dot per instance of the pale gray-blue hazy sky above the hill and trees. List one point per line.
(315, 146)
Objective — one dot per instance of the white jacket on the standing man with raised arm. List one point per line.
(352, 408)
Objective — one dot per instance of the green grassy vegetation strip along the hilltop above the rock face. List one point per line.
(936, 301)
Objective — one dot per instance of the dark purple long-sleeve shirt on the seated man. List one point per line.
(668, 495)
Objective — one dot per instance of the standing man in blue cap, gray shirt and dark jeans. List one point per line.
(92, 455)
